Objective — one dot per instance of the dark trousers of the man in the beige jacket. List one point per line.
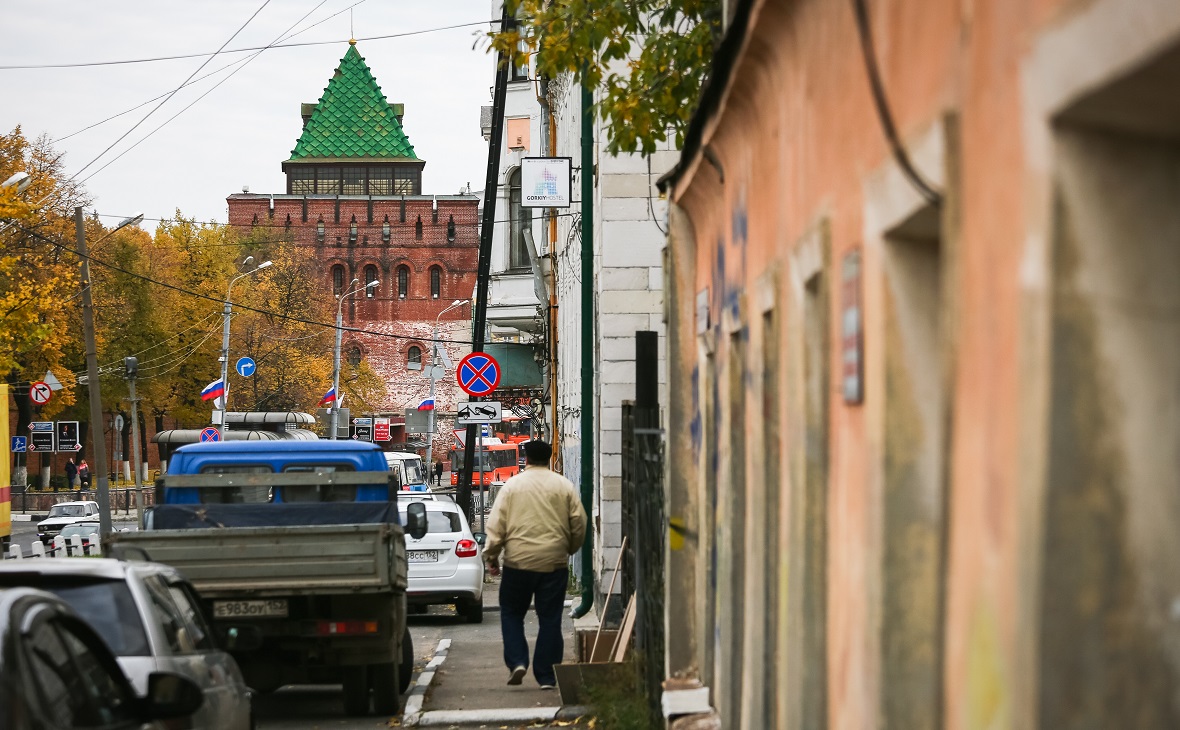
(519, 589)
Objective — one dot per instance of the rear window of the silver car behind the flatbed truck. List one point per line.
(107, 606)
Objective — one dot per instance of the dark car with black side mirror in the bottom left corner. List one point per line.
(56, 673)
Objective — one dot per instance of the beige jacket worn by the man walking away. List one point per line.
(537, 522)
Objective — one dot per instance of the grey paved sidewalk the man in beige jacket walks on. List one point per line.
(469, 685)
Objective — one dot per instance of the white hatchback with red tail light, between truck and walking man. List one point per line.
(445, 565)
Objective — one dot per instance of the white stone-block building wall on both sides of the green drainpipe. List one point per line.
(628, 299)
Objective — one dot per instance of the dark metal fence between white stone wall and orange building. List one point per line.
(645, 527)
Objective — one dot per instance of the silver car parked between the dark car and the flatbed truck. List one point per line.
(149, 616)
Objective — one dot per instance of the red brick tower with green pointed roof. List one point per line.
(355, 194)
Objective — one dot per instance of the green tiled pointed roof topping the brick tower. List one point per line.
(353, 120)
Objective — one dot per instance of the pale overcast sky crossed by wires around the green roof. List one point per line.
(244, 130)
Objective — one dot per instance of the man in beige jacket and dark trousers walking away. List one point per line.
(536, 524)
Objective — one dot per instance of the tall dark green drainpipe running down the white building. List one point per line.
(588, 382)
